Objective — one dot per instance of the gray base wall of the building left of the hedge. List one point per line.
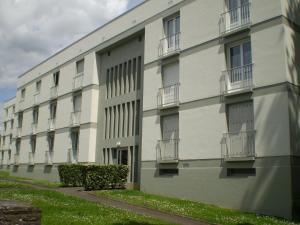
(39, 171)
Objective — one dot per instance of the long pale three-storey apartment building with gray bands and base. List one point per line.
(199, 98)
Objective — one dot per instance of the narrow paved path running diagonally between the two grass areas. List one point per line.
(78, 192)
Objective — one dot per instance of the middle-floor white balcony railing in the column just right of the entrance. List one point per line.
(168, 96)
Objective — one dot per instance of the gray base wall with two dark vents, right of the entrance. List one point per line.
(267, 192)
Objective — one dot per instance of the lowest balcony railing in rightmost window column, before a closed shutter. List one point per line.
(239, 146)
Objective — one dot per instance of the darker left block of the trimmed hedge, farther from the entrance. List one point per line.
(71, 174)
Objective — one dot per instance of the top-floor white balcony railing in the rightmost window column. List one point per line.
(235, 19)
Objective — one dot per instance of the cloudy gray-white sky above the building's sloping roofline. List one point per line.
(33, 30)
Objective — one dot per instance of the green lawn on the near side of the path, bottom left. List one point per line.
(60, 209)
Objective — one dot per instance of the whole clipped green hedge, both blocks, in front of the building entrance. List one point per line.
(93, 177)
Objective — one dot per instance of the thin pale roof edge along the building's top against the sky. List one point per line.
(104, 25)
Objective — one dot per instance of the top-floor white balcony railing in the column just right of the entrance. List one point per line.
(169, 45)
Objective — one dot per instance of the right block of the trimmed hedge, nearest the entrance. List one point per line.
(105, 177)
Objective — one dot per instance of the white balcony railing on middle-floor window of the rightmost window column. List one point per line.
(237, 79)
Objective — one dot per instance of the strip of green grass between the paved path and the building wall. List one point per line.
(196, 210)
